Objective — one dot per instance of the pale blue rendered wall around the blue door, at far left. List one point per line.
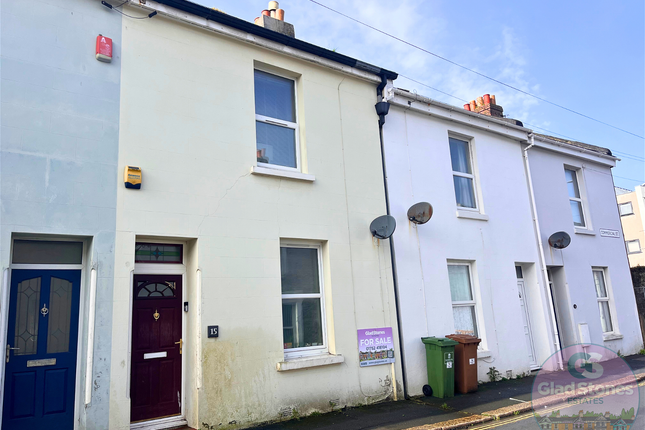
(58, 147)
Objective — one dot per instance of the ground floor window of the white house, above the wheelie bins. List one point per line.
(463, 299)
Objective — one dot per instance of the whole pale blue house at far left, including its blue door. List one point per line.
(58, 198)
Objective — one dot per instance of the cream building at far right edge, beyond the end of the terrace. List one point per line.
(631, 206)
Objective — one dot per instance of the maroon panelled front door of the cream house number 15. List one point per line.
(156, 347)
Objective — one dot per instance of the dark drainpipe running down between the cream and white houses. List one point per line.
(382, 109)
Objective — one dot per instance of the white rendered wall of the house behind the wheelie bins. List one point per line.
(419, 169)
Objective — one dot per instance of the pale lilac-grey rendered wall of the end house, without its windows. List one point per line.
(574, 264)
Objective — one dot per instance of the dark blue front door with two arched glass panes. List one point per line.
(40, 359)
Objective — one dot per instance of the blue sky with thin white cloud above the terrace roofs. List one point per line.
(585, 55)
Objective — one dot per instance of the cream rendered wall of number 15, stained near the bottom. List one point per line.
(188, 121)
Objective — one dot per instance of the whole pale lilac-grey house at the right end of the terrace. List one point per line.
(590, 279)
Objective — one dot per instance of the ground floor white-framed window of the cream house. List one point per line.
(303, 326)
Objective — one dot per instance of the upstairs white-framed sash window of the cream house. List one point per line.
(276, 124)
